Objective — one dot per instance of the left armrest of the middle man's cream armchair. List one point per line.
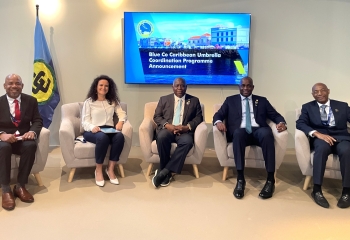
(146, 132)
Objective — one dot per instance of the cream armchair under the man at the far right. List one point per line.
(305, 157)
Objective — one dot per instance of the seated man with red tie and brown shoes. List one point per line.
(20, 125)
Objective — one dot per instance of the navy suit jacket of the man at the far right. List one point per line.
(310, 119)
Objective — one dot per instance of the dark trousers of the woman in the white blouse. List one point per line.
(102, 141)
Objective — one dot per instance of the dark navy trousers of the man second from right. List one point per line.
(260, 136)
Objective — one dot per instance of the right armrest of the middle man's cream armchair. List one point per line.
(200, 141)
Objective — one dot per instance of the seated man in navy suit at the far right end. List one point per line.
(325, 122)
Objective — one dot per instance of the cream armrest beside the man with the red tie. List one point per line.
(42, 150)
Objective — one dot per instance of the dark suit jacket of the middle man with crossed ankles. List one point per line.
(165, 112)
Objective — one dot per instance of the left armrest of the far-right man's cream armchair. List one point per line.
(303, 153)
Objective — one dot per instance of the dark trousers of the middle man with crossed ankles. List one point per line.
(176, 161)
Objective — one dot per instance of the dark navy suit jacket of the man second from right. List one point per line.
(231, 110)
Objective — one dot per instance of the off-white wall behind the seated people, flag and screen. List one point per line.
(294, 44)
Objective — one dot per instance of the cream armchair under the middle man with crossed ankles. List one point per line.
(149, 146)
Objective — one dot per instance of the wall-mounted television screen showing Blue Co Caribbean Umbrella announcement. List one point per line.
(203, 48)
